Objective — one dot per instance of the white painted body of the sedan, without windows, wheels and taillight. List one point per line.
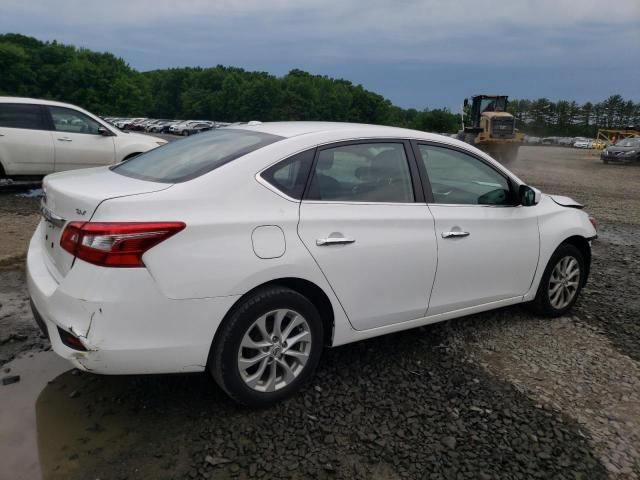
(242, 232)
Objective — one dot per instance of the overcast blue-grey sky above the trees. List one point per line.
(416, 53)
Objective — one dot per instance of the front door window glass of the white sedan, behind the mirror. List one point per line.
(458, 178)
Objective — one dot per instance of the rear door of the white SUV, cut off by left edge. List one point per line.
(26, 145)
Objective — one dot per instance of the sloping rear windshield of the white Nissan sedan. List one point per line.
(189, 158)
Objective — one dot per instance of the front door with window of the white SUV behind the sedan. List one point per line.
(77, 141)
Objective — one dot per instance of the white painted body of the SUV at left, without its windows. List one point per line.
(26, 151)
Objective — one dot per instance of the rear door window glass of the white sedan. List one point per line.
(367, 172)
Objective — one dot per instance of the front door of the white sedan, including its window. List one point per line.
(488, 245)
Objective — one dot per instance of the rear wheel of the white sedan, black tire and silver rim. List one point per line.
(264, 382)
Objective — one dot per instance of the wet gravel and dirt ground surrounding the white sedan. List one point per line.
(502, 394)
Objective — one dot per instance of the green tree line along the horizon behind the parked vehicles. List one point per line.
(106, 84)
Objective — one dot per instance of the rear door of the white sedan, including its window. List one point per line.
(365, 222)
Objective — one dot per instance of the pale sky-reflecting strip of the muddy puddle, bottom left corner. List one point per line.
(18, 425)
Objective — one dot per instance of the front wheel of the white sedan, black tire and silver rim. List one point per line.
(546, 302)
